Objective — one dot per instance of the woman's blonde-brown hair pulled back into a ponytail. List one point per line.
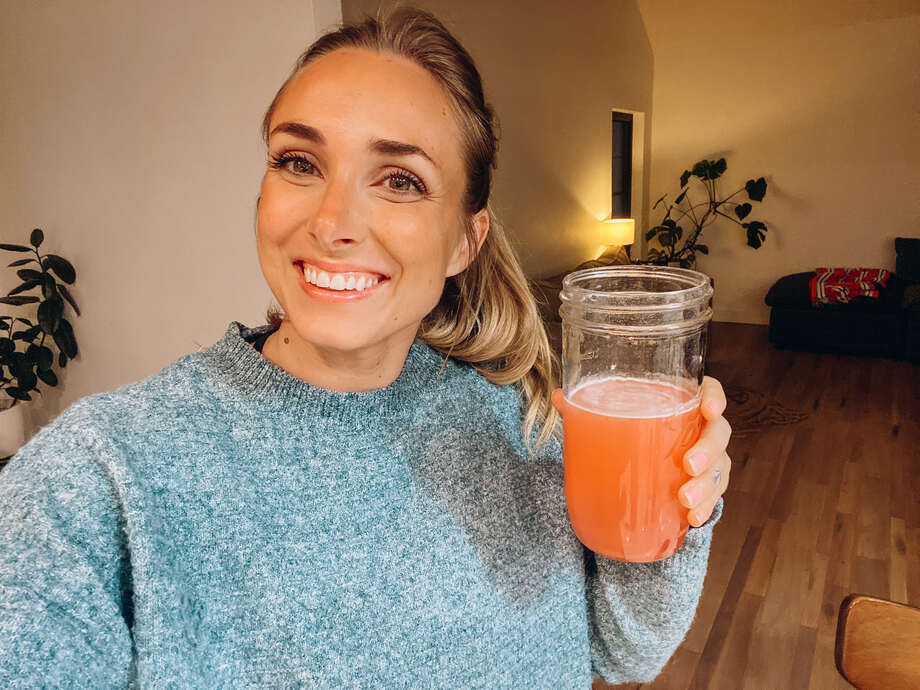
(487, 315)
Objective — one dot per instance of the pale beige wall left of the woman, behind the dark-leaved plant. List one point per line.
(130, 134)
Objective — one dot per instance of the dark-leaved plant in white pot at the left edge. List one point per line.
(25, 356)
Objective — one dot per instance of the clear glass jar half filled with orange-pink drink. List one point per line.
(634, 342)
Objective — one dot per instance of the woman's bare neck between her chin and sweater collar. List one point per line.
(352, 371)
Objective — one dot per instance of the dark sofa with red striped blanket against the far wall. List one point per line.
(888, 325)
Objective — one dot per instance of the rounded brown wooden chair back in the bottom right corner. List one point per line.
(878, 643)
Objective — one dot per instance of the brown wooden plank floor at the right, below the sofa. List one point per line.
(814, 511)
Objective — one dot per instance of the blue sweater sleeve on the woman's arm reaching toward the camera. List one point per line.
(64, 590)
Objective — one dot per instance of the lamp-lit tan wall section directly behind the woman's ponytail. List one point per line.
(553, 71)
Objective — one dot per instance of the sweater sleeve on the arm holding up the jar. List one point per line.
(639, 613)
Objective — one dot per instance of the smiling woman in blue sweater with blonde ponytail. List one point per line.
(367, 490)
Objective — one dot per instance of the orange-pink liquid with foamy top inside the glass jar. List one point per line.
(624, 441)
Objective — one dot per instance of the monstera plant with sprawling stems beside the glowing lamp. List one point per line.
(679, 233)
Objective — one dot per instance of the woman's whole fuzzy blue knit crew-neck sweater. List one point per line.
(223, 524)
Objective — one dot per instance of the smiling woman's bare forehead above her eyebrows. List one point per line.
(356, 94)
